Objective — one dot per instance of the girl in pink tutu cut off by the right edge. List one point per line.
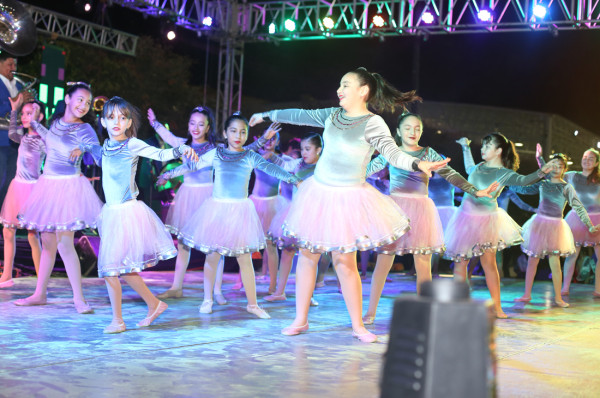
(587, 187)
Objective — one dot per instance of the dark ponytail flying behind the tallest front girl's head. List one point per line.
(382, 95)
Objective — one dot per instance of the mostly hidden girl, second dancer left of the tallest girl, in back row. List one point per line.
(267, 201)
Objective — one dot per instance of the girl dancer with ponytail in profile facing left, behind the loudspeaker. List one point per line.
(479, 227)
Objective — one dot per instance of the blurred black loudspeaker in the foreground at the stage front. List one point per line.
(441, 345)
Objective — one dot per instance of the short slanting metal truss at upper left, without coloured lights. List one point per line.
(70, 28)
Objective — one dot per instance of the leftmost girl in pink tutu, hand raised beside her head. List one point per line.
(29, 161)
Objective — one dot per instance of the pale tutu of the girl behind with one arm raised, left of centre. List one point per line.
(188, 199)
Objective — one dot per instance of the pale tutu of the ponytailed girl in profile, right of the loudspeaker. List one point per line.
(470, 234)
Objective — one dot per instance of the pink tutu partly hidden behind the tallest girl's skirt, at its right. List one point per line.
(426, 235)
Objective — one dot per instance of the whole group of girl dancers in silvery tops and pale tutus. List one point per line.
(324, 206)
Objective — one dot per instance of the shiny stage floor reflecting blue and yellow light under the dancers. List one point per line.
(51, 351)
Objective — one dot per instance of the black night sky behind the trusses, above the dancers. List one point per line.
(531, 71)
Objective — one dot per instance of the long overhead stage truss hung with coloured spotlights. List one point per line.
(354, 18)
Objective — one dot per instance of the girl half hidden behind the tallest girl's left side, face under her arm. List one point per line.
(310, 150)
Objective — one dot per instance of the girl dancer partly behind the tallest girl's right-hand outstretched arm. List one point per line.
(409, 190)
